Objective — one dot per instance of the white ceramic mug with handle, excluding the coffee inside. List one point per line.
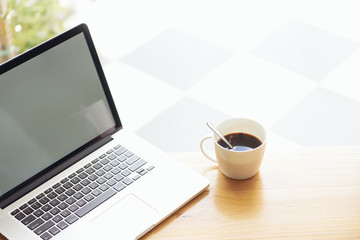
(238, 164)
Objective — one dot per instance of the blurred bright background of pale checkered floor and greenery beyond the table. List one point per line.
(173, 65)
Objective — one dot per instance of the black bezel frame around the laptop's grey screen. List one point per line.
(73, 157)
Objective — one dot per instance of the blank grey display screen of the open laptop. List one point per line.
(51, 105)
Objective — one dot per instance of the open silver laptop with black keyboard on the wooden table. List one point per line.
(68, 169)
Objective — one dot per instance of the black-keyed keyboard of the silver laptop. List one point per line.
(76, 195)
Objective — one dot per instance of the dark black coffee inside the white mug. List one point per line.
(241, 141)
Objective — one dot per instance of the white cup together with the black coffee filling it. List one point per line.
(248, 138)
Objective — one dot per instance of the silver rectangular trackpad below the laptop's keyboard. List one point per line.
(128, 218)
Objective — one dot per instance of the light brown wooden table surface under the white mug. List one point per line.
(297, 194)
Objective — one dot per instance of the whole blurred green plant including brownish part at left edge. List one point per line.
(26, 23)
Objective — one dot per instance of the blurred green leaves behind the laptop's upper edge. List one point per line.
(34, 21)
